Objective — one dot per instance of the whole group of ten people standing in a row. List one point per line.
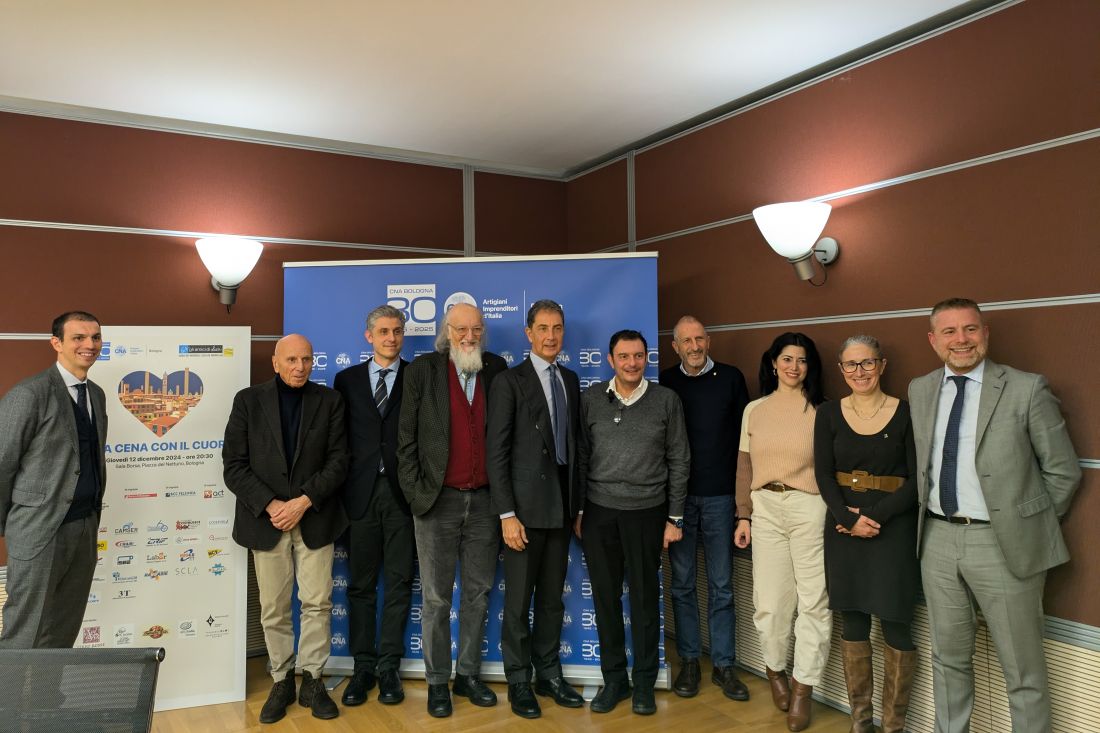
(850, 506)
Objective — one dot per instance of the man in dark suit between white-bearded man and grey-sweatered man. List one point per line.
(532, 446)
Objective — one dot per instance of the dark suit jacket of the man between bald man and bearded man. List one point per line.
(372, 436)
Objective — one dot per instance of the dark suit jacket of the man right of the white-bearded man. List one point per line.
(522, 461)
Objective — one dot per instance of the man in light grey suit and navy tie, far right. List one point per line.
(997, 473)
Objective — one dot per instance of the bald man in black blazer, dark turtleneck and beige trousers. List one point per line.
(285, 458)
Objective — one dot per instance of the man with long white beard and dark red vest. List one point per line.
(442, 471)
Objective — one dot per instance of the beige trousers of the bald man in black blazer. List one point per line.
(277, 571)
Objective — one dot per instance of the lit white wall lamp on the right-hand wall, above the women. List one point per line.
(793, 231)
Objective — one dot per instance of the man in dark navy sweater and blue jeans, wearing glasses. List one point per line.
(714, 397)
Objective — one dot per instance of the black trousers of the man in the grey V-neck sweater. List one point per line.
(614, 539)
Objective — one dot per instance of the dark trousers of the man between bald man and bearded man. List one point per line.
(380, 543)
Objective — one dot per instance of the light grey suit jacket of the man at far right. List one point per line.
(1027, 465)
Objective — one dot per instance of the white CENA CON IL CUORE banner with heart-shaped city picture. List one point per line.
(168, 572)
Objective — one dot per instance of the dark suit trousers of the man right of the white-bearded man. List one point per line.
(541, 570)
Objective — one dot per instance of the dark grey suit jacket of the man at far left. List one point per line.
(40, 460)
